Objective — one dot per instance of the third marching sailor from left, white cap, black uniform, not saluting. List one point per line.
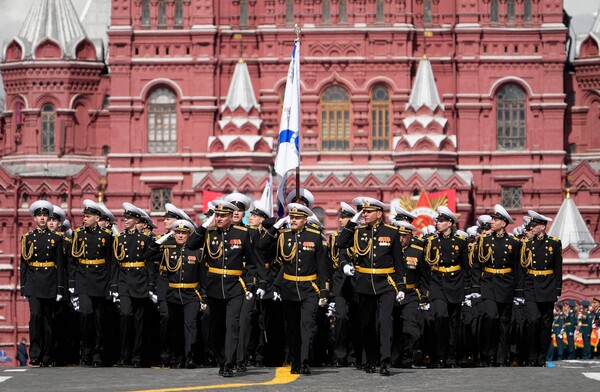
(132, 283)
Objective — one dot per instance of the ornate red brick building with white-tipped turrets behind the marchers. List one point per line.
(151, 111)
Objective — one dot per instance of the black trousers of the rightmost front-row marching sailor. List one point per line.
(539, 329)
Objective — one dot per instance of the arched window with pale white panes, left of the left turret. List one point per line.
(162, 121)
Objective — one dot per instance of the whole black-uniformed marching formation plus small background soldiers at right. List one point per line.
(374, 295)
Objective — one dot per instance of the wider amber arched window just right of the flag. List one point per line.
(335, 119)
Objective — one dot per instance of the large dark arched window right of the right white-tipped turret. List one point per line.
(510, 118)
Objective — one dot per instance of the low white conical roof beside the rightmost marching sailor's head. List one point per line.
(570, 227)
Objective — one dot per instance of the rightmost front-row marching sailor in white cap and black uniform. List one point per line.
(541, 260)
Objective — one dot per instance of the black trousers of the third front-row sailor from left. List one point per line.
(132, 314)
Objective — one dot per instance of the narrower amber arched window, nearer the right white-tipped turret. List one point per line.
(380, 118)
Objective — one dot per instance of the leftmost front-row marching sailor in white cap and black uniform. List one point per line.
(42, 266)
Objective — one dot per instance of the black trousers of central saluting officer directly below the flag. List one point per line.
(300, 318)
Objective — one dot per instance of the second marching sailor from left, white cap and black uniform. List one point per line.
(89, 277)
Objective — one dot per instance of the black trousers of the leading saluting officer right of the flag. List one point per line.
(377, 325)
